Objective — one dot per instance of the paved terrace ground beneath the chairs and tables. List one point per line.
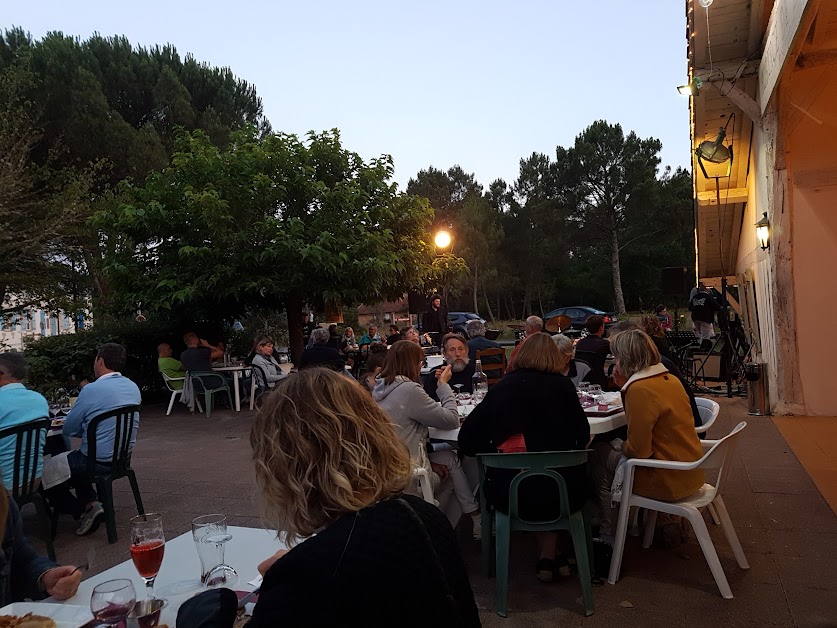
(190, 465)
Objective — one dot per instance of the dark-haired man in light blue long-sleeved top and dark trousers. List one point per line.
(108, 392)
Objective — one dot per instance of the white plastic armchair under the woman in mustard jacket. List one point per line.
(718, 455)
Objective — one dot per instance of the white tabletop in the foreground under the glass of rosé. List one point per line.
(179, 577)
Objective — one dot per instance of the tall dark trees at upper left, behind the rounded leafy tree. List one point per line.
(100, 111)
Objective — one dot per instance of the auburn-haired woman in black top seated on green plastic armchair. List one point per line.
(533, 408)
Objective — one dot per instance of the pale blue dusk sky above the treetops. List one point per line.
(479, 84)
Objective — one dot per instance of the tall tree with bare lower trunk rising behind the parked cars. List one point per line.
(610, 180)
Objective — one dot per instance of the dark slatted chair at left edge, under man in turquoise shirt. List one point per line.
(29, 451)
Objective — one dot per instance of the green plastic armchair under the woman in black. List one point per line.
(530, 465)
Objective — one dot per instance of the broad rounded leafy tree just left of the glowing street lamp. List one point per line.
(269, 221)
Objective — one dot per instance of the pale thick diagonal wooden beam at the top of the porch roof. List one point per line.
(789, 24)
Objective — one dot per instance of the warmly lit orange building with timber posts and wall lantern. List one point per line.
(769, 78)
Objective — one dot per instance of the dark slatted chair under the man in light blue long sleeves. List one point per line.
(120, 462)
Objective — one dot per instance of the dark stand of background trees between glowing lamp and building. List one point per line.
(593, 226)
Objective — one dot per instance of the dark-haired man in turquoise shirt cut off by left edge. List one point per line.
(17, 405)
